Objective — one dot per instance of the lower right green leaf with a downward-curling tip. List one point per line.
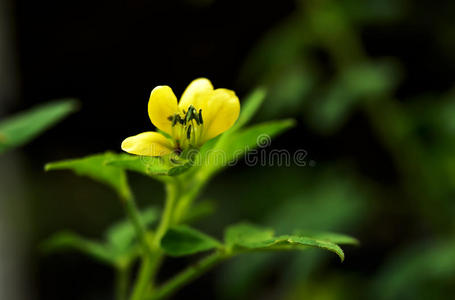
(246, 237)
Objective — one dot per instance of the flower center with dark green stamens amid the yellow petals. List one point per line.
(186, 128)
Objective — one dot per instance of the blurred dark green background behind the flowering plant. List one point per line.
(370, 83)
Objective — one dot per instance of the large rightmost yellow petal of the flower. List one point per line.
(220, 113)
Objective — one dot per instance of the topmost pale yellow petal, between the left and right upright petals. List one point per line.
(197, 93)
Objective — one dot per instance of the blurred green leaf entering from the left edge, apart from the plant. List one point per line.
(21, 128)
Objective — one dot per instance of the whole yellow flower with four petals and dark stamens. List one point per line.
(202, 113)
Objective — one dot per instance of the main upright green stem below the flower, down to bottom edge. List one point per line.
(151, 263)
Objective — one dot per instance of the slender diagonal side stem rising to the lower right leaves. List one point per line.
(188, 275)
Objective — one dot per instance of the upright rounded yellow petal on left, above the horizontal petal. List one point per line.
(162, 105)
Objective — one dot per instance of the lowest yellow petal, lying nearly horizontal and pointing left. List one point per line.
(148, 144)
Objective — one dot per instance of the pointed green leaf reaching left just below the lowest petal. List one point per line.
(95, 167)
